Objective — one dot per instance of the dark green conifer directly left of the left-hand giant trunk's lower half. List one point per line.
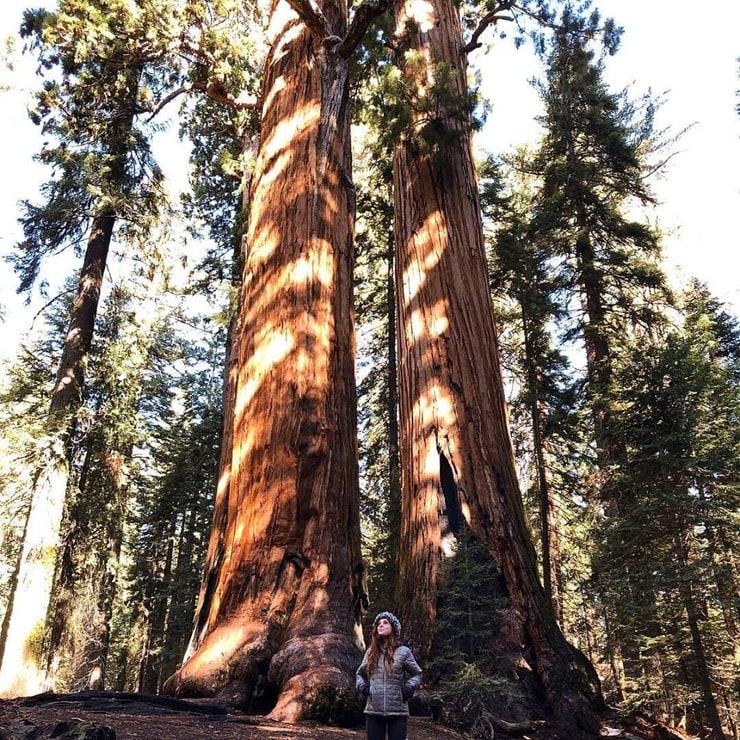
(174, 511)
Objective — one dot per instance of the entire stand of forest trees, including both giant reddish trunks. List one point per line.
(354, 363)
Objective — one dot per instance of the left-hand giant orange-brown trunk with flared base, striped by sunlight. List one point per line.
(281, 615)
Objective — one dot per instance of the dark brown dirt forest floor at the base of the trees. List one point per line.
(109, 716)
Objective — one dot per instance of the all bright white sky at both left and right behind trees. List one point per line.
(666, 48)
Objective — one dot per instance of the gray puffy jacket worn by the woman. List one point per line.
(386, 687)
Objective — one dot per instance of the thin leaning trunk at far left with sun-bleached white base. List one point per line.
(21, 668)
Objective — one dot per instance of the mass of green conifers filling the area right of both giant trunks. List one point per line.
(584, 276)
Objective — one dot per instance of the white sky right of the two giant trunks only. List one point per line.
(667, 47)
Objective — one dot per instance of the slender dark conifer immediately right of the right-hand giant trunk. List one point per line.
(523, 275)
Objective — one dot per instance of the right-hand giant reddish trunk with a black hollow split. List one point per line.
(457, 458)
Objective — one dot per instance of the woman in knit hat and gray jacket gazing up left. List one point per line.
(388, 677)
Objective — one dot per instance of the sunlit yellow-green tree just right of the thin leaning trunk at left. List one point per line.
(100, 481)
